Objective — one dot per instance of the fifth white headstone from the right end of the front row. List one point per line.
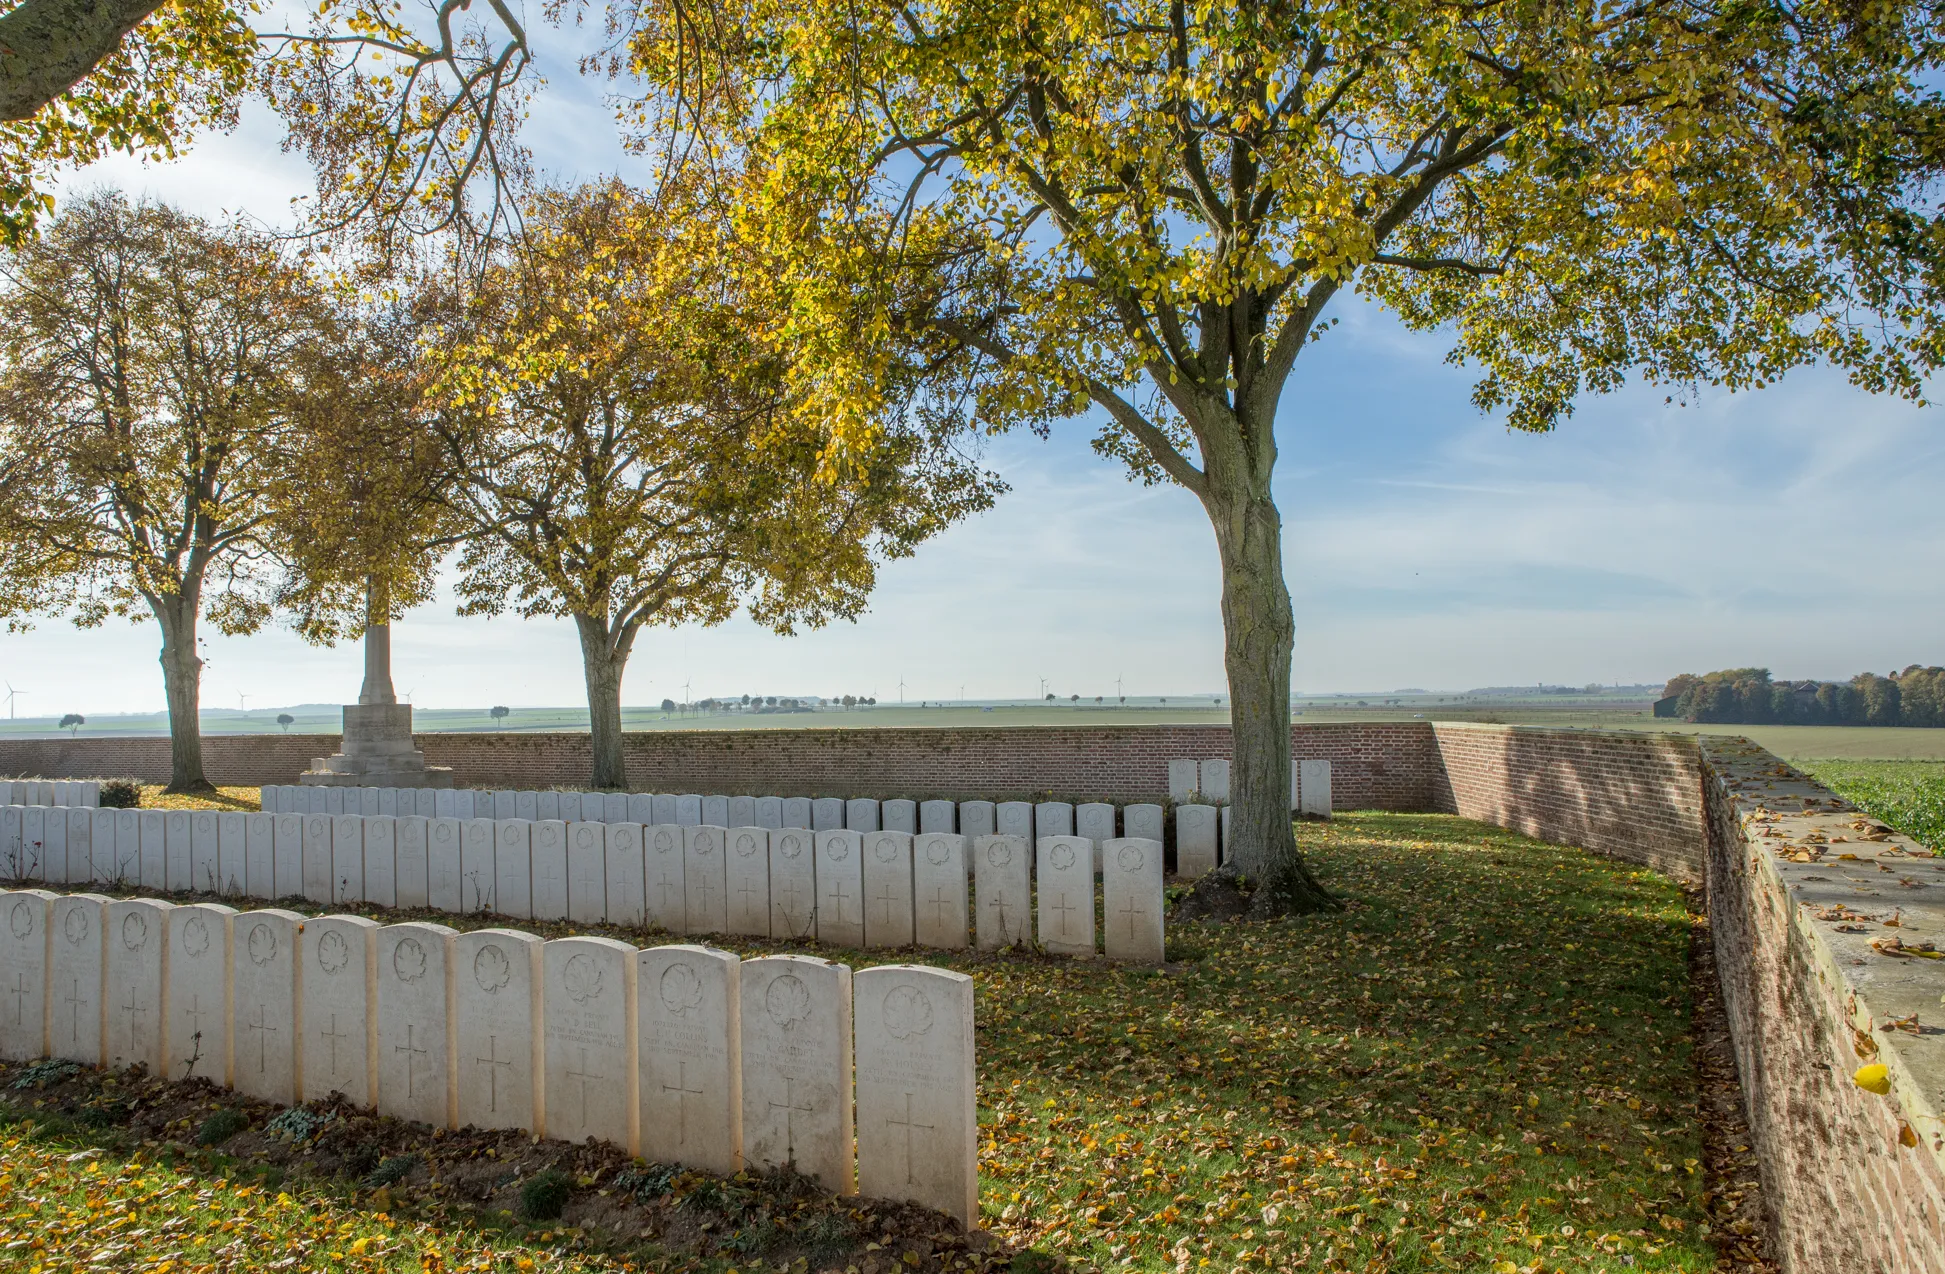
(497, 1005)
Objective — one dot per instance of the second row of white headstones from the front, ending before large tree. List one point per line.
(853, 890)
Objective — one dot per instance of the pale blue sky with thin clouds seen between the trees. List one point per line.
(1798, 528)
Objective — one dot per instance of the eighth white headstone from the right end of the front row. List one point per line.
(264, 1003)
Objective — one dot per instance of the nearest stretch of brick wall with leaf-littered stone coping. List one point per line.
(1800, 890)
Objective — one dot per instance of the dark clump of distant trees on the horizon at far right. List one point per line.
(1748, 697)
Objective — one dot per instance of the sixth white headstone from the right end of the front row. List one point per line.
(415, 1059)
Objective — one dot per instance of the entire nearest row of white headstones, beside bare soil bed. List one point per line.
(682, 1055)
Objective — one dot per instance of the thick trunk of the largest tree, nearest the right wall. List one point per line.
(1259, 637)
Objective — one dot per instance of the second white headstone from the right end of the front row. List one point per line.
(798, 1069)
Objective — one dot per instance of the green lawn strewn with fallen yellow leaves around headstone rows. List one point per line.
(1483, 1065)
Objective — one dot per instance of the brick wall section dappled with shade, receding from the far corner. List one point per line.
(1637, 796)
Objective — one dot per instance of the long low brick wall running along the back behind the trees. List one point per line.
(1378, 765)
